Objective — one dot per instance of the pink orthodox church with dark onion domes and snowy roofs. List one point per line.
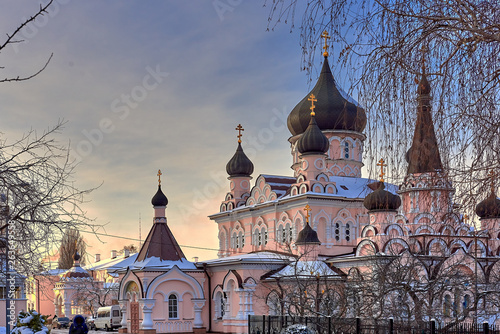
(325, 223)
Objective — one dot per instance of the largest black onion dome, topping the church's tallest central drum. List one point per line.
(334, 112)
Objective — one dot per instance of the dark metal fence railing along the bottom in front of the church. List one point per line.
(264, 324)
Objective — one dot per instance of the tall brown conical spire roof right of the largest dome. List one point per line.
(423, 155)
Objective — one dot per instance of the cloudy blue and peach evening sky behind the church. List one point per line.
(155, 85)
